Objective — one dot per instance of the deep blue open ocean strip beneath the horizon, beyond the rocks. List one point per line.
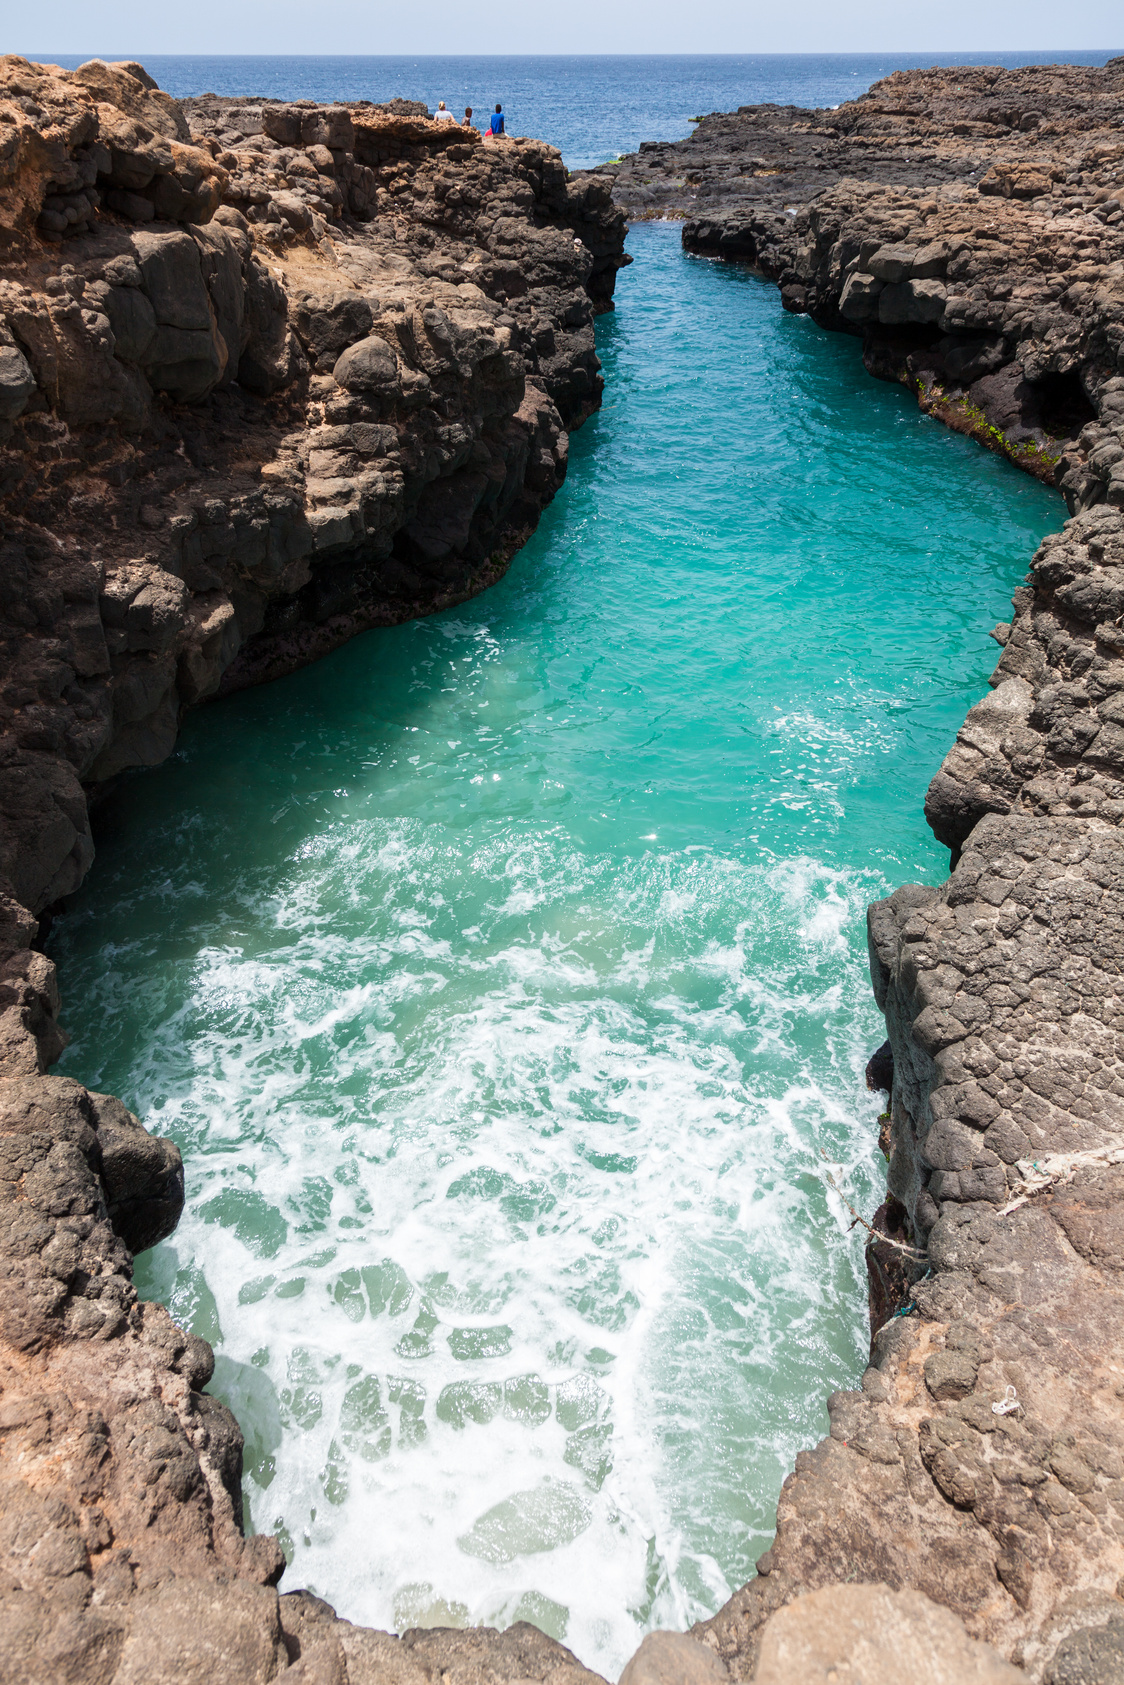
(592, 109)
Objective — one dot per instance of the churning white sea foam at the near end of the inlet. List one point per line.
(510, 1207)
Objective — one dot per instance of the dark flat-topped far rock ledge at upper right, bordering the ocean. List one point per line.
(966, 223)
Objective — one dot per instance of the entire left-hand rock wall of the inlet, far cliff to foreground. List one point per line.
(269, 375)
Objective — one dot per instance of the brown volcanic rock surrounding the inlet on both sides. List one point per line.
(276, 373)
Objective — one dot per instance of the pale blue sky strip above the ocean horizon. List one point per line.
(136, 28)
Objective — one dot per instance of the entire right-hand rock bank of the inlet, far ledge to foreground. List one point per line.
(968, 227)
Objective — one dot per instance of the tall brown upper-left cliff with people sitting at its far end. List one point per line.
(232, 441)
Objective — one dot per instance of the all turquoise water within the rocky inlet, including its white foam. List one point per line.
(503, 980)
